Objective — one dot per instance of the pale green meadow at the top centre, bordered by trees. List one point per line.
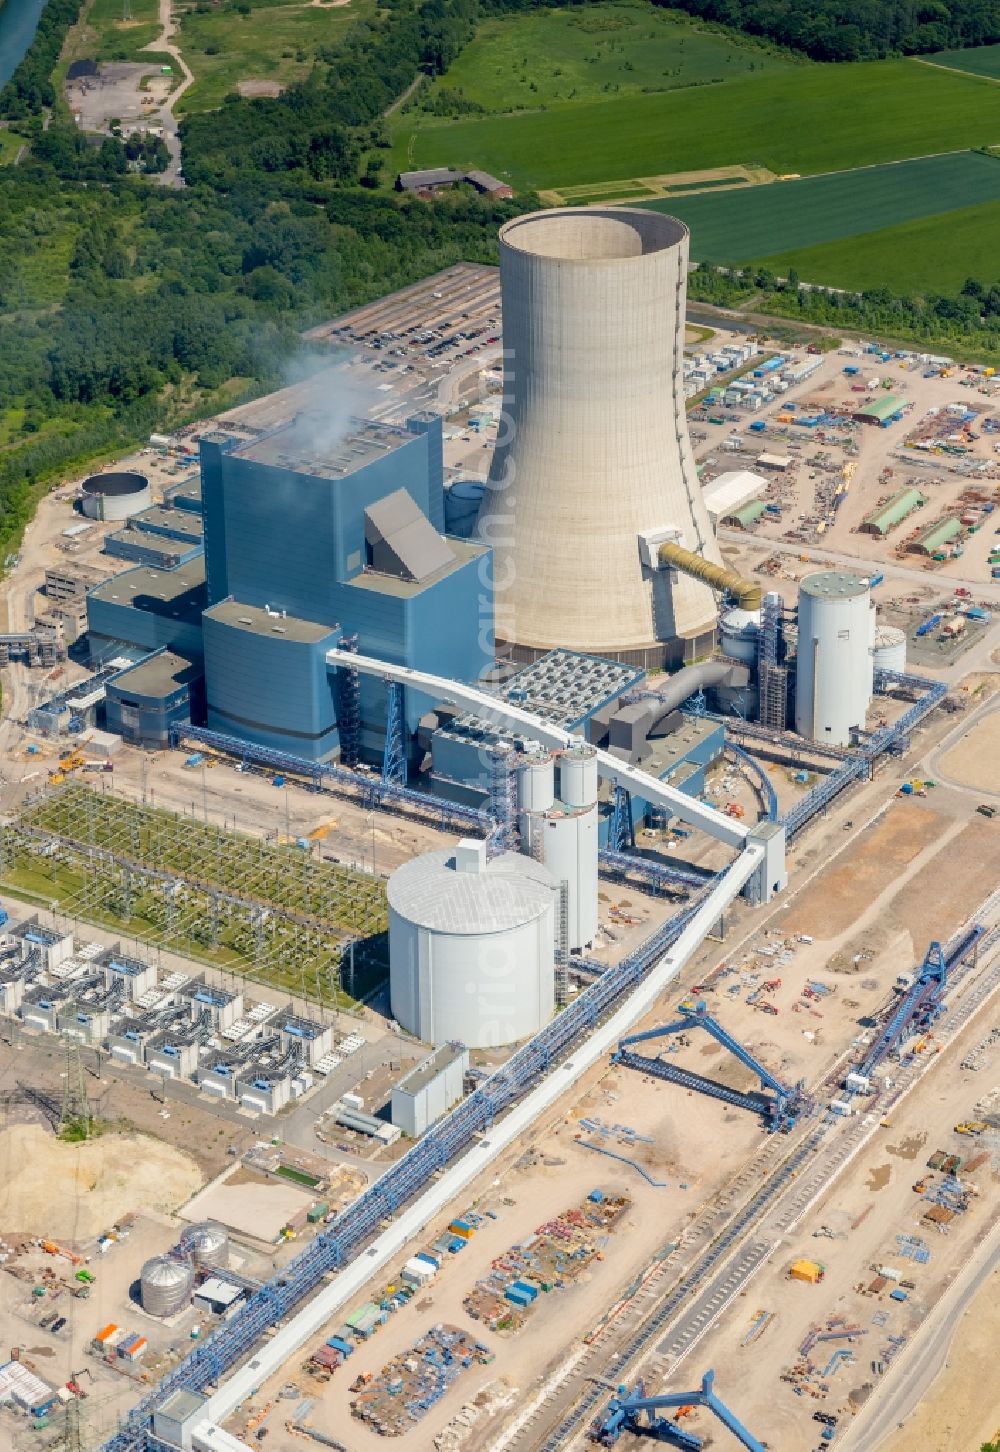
(523, 62)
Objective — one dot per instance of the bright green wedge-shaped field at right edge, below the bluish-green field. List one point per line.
(934, 255)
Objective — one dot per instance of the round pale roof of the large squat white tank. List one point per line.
(506, 892)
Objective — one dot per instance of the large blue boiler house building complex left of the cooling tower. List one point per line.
(313, 537)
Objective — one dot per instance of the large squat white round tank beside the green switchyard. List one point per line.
(472, 947)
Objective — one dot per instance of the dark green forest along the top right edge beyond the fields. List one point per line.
(857, 30)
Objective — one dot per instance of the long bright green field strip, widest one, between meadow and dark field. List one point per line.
(808, 120)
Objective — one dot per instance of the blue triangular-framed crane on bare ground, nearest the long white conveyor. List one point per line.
(780, 1109)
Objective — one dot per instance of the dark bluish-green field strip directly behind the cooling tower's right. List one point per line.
(744, 226)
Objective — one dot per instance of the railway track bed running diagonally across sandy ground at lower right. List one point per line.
(673, 1312)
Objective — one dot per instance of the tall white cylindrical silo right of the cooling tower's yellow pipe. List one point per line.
(834, 673)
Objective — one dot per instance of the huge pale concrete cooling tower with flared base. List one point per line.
(593, 470)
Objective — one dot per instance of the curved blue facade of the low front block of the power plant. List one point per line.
(271, 690)
